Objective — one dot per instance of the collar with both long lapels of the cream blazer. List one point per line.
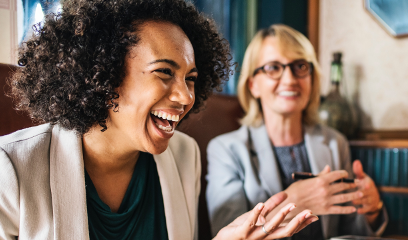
(67, 182)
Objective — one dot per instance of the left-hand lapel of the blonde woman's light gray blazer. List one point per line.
(265, 161)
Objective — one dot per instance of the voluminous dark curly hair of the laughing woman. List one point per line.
(75, 61)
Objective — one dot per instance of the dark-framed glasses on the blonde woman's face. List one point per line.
(300, 69)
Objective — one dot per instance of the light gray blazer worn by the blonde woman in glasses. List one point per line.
(237, 180)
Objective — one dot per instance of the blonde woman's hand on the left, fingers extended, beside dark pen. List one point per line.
(321, 195)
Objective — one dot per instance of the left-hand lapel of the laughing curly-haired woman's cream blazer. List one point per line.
(67, 184)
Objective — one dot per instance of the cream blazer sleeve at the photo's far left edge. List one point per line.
(9, 198)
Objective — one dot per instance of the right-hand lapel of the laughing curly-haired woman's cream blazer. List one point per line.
(175, 205)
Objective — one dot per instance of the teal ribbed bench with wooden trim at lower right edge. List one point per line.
(387, 164)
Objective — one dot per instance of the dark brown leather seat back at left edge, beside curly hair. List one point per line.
(10, 119)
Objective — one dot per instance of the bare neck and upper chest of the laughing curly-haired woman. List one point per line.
(103, 155)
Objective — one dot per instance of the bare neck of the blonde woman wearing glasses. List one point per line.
(284, 130)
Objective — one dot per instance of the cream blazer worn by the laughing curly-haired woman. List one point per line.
(42, 185)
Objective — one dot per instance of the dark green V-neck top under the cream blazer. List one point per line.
(141, 213)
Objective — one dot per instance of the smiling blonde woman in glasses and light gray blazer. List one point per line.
(279, 91)
